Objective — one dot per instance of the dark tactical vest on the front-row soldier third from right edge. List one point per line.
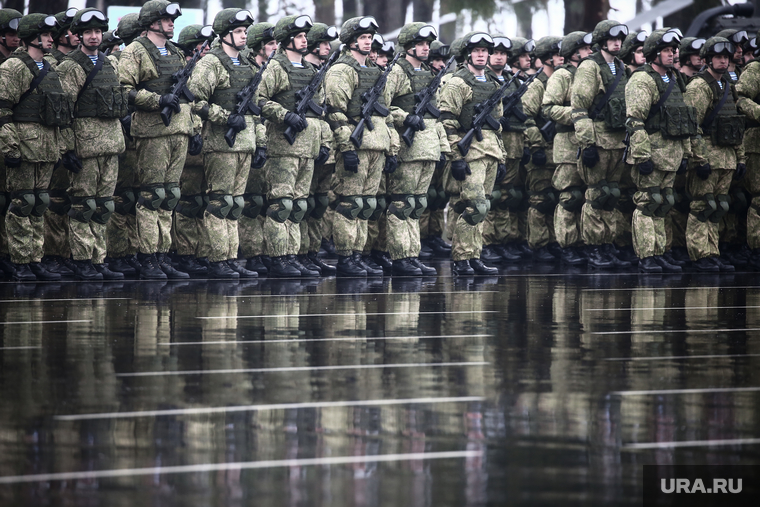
(674, 120)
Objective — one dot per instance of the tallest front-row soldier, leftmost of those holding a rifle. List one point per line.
(145, 68)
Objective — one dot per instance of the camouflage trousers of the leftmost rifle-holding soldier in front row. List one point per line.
(159, 160)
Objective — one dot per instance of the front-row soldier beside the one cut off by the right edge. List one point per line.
(717, 153)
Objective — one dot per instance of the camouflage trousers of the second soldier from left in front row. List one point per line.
(96, 179)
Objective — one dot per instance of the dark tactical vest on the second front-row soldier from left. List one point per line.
(104, 97)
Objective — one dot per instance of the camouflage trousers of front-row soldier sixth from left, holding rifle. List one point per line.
(350, 235)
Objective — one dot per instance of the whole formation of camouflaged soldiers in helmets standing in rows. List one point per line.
(250, 149)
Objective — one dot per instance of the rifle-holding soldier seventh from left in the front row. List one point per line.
(408, 185)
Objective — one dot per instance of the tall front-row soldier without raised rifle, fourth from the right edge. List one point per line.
(598, 102)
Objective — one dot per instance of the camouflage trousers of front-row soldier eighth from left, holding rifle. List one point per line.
(467, 241)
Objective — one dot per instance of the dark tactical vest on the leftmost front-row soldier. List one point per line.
(47, 104)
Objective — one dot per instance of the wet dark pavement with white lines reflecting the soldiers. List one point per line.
(530, 388)
